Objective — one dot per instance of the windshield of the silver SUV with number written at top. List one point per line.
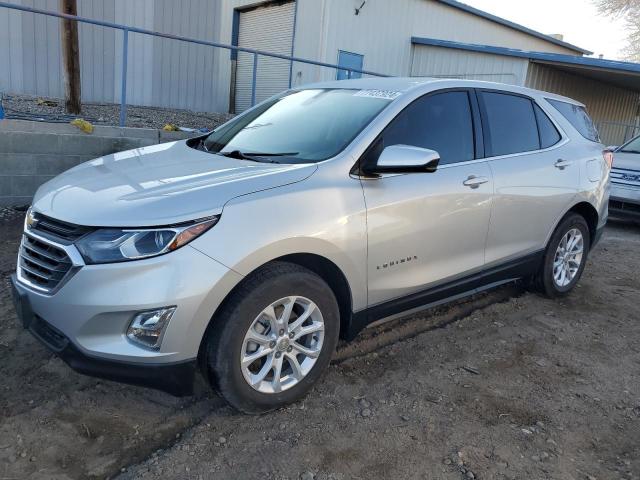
(305, 126)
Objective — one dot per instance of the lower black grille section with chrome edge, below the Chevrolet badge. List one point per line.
(43, 265)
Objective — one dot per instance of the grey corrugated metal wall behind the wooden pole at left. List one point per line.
(161, 72)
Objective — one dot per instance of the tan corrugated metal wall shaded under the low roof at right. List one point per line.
(607, 105)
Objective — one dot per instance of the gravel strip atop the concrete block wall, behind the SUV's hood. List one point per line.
(51, 109)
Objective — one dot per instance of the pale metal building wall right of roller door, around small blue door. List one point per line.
(383, 29)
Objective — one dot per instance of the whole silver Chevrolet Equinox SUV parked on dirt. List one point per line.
(247, 253)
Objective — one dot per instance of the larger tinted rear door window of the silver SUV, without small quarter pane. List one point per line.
(509, 124)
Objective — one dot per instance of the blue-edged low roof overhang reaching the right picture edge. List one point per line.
(623, 74)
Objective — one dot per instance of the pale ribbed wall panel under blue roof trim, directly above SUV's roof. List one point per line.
(431, 61)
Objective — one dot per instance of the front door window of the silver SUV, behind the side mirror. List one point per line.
(440, 122)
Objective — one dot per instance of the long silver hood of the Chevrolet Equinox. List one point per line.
(157, 185)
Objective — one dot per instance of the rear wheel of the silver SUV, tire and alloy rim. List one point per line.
(565, 257)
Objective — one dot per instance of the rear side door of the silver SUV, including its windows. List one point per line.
(534, 183)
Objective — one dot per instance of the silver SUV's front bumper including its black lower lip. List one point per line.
(85, 321)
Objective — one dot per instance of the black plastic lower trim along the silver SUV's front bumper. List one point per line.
(174, 378)
